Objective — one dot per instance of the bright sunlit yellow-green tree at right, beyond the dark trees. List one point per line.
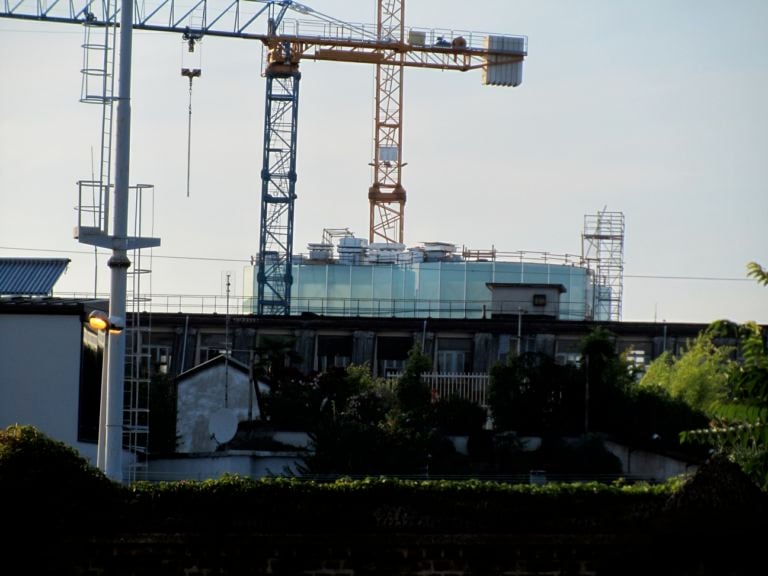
(698, 376)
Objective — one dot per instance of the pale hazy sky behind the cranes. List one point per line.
(654, 109)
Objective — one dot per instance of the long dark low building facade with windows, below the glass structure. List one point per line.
(178, 341)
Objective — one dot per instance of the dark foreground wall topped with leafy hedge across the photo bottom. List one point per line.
(715, 525)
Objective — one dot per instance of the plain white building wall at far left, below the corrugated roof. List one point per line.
(40, 375)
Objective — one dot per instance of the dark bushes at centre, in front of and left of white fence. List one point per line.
(369, 427)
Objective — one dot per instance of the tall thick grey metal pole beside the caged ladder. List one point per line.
(119, 261)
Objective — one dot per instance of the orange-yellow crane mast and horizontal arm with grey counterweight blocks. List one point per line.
(392, 47)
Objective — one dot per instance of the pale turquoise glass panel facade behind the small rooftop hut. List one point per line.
(446, 289)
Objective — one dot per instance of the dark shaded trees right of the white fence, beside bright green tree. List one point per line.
(532, 395)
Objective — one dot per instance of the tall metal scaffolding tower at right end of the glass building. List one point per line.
(602, 245)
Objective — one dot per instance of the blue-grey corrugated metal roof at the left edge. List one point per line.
(30, 276)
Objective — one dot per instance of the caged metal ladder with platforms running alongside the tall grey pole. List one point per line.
(94, 218)
